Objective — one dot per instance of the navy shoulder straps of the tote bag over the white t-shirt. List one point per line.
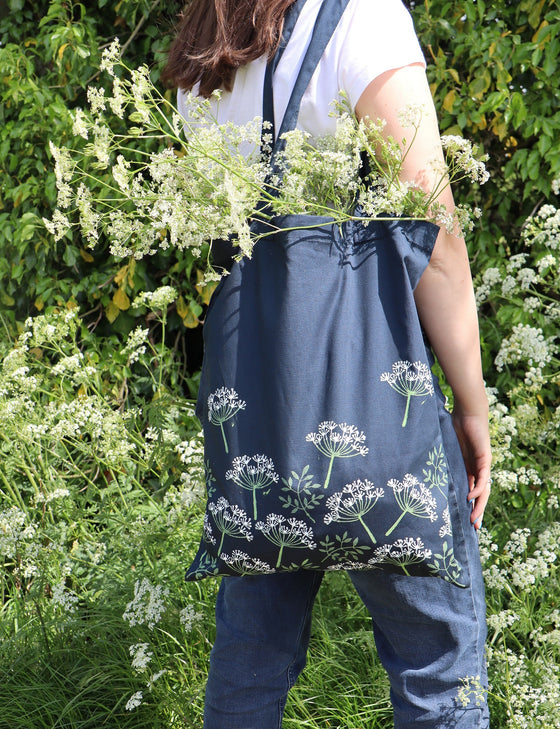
(329, 16)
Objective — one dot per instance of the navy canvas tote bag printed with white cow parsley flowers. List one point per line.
(327, 442)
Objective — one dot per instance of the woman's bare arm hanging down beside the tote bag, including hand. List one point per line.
(444, 295)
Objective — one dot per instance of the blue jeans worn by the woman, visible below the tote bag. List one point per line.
(429, 634)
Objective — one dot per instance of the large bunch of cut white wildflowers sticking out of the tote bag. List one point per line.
(208, 180)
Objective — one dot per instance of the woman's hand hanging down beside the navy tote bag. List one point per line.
(474, 439)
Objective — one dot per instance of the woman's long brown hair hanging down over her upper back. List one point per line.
(215, 37)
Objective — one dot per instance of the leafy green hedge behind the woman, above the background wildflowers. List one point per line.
(493, 69)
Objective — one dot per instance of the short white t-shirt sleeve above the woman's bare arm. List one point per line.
(379, 37)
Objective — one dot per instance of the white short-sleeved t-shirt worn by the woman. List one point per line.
(373, 36)
